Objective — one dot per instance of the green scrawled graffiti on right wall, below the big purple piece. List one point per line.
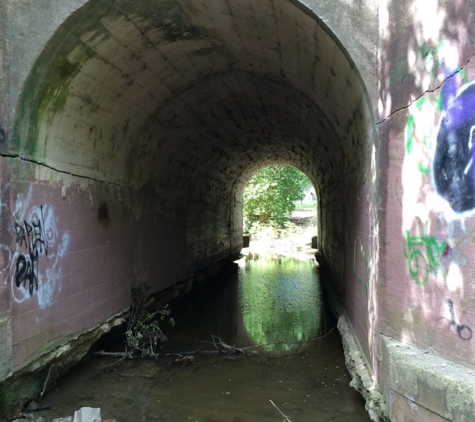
(422, 252)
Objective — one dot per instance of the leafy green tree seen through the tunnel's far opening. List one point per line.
(270, 194)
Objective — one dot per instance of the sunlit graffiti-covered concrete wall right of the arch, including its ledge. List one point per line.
(427, 260)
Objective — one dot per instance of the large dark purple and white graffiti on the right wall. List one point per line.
(445, 150)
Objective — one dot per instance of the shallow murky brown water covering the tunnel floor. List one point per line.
(268, 301)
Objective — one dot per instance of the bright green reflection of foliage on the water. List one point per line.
(280, 302)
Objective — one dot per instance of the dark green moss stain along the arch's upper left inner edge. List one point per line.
(47, 87)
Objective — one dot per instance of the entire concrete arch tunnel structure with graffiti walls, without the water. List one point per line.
(128, 132)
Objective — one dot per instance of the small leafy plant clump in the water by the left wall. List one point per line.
(143, 332)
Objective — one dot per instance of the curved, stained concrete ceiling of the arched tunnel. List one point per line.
(127, 90)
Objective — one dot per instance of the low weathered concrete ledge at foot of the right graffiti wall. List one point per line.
(421, 383)
